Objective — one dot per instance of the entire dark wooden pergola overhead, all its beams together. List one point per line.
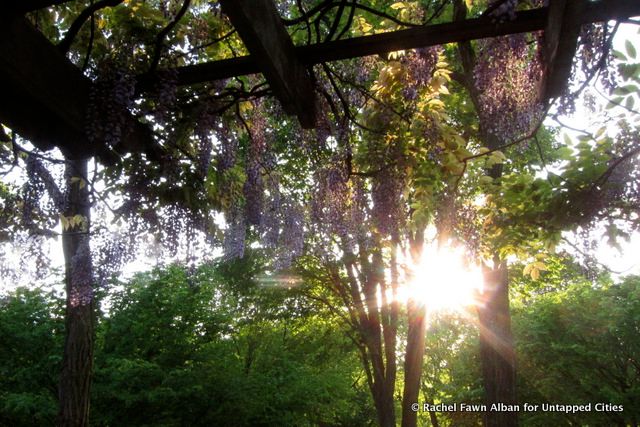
(45, 96)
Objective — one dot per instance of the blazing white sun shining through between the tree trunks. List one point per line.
(442, 280)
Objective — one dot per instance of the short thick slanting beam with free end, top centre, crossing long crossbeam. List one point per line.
(266, 38)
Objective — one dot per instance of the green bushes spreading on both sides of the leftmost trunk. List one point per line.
(187, 348)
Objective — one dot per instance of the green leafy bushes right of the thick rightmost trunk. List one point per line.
(579, 346)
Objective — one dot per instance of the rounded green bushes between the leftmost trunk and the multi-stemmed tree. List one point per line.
(178, 349)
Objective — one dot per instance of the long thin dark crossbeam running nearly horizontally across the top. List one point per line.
(471, 29)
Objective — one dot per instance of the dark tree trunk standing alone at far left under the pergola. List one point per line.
(75, 378)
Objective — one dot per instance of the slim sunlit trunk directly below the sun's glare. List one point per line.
(414, 356)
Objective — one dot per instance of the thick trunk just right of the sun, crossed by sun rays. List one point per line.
(496, 348)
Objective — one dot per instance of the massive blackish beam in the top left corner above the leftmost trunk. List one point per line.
(45, 97)
